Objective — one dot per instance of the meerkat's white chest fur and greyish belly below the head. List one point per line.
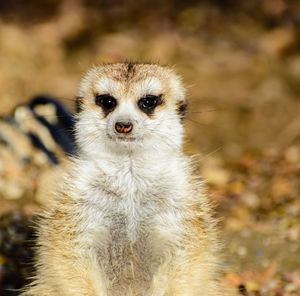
(131, 213)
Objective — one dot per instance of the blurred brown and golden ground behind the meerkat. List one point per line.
(240, 62)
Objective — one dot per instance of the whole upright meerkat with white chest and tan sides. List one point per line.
(131, 217)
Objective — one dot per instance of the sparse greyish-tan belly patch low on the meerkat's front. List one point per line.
(129, 258)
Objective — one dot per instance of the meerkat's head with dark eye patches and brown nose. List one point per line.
(125, 107)
